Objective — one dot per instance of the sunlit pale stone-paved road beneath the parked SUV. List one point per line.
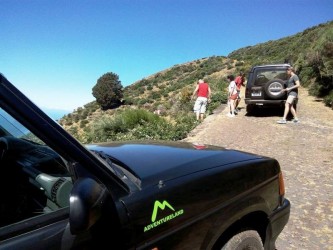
(305, 153)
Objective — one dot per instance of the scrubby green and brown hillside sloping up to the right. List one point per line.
(169, 91)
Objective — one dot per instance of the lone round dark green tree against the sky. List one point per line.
(108, 91)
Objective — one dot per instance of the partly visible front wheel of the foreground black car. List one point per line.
(245, 240)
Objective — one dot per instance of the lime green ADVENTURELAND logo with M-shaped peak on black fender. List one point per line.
(161, 206)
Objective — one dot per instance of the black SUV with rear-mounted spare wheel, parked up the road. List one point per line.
(264, 86)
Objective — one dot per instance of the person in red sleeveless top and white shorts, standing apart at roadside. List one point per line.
(203, 93)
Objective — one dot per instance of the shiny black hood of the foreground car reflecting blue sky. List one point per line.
(152, 161)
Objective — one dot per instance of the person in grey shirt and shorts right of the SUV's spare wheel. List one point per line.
(293, 84)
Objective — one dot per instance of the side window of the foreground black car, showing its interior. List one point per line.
(38, 177)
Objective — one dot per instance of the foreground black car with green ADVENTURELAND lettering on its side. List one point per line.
(59, 194)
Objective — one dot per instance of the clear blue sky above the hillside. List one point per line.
(55, 51)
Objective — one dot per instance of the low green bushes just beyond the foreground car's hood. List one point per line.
(137, 124)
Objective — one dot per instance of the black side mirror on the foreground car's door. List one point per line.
(85, 204)
